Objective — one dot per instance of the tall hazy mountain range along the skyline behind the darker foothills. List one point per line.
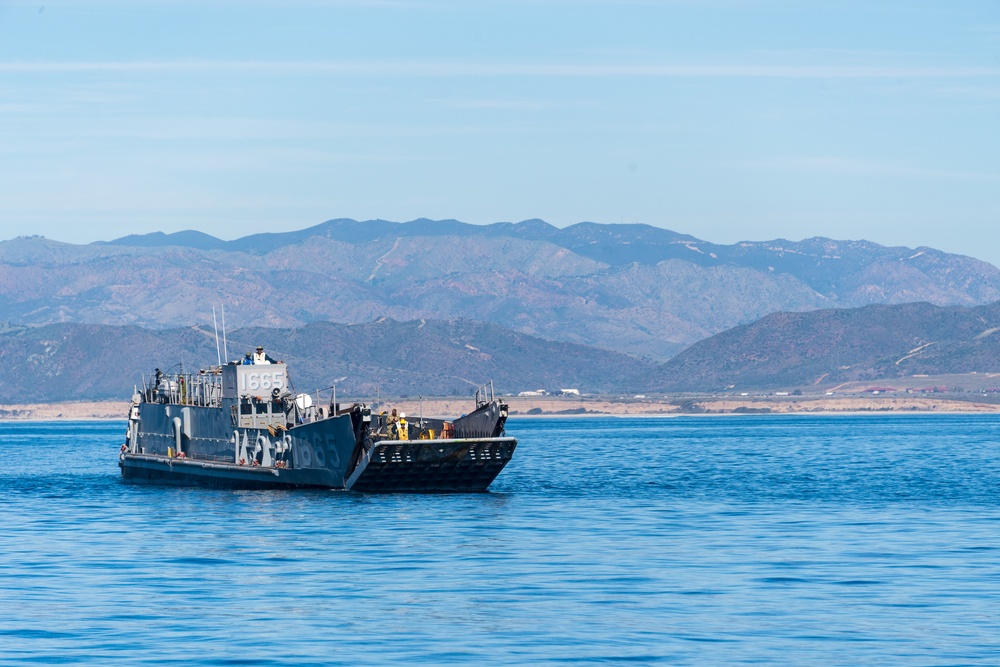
(632, 288)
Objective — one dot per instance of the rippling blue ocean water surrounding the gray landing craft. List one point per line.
(784, 540)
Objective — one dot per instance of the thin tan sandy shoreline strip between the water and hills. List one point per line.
(587, 406)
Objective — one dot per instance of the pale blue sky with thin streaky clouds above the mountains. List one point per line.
(726, 119)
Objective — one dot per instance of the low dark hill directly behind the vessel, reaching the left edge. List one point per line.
(60, 362)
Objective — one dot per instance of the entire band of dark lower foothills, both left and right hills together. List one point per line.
(812, 350)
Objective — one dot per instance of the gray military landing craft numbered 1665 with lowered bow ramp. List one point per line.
(241, 426)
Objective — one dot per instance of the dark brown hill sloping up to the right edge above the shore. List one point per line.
(833, 346)
